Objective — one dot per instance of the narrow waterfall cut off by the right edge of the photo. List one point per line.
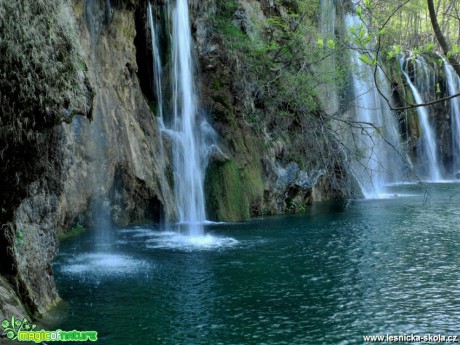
(453, 84)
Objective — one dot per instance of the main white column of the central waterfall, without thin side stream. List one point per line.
(188, 170)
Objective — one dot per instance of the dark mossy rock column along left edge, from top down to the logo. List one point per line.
(46, 86)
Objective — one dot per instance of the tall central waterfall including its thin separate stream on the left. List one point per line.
(190, 135)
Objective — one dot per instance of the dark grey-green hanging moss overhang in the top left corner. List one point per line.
(41, 74)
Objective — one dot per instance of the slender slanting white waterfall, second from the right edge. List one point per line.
(428, 161)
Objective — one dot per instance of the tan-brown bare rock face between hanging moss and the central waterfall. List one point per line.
(117, 153)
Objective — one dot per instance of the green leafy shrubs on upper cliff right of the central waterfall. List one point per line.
(278, 52)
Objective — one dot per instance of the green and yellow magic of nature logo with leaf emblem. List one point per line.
(25, 331)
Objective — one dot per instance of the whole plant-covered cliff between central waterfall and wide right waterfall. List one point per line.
(263, 84)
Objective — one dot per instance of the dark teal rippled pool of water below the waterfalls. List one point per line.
(329, 276)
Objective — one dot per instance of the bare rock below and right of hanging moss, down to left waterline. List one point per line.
(109, 158)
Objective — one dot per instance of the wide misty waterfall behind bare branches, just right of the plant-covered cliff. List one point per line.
(379, 162)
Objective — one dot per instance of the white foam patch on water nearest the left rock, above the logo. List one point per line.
(102, 264)
